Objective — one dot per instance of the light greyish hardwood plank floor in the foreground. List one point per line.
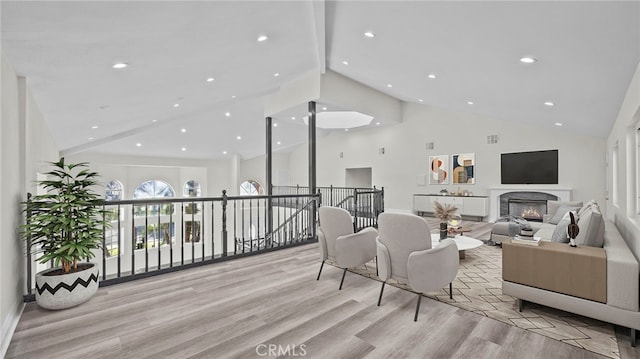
(229, 309)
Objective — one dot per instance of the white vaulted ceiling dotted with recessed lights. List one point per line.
(587, 53)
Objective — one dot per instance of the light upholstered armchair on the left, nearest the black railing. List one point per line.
(339, 243)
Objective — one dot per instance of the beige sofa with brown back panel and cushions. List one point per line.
(601, 283)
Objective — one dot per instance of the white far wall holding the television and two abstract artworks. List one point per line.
(581, 158)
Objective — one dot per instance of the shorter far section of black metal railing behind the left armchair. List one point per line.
(364, 204)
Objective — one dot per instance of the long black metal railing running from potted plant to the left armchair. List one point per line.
(152, 236)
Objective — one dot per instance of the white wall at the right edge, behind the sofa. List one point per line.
(624, 212)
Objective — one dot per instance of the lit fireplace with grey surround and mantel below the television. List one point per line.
(528, 205)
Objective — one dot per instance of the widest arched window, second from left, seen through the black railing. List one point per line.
(154, 234)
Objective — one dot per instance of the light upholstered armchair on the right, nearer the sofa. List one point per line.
(405, 255)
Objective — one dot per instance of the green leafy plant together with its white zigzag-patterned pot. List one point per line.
(65, 226)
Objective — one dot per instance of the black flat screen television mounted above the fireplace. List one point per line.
(535, 167)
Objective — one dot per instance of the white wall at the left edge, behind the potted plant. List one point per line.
(25, 142)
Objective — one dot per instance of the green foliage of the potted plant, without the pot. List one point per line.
(66, 224)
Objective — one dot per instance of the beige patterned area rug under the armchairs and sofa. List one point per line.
(478, 289)
